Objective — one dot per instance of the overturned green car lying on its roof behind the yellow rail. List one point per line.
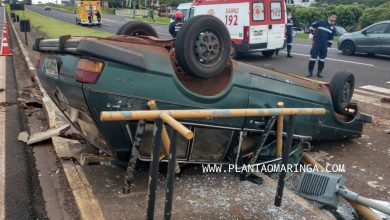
(87, 75)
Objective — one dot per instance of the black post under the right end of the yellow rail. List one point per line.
(286, 153)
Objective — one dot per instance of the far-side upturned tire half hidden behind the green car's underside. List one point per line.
(137, 28)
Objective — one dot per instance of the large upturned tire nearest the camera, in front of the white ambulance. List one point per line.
(202, 46)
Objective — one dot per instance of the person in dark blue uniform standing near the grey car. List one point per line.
(322, 33)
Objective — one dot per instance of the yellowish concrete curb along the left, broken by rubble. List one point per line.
(87, 203)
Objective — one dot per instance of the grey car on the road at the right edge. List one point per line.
(374, 39)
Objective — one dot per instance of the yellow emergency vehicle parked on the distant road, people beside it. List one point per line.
(85, 7)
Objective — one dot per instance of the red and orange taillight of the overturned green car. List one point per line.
(88, 71)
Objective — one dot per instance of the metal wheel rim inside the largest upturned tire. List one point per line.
(207, 48)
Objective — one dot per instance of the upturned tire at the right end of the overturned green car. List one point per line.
(341, 89)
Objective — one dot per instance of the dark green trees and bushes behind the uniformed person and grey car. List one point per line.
(352, 17)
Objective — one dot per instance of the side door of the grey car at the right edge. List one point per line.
(371, 39)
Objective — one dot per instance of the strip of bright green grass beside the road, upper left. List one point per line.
(54, 28)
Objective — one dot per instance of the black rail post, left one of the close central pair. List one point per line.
(154, 166)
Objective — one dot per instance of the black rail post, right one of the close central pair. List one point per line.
(172, 163)
